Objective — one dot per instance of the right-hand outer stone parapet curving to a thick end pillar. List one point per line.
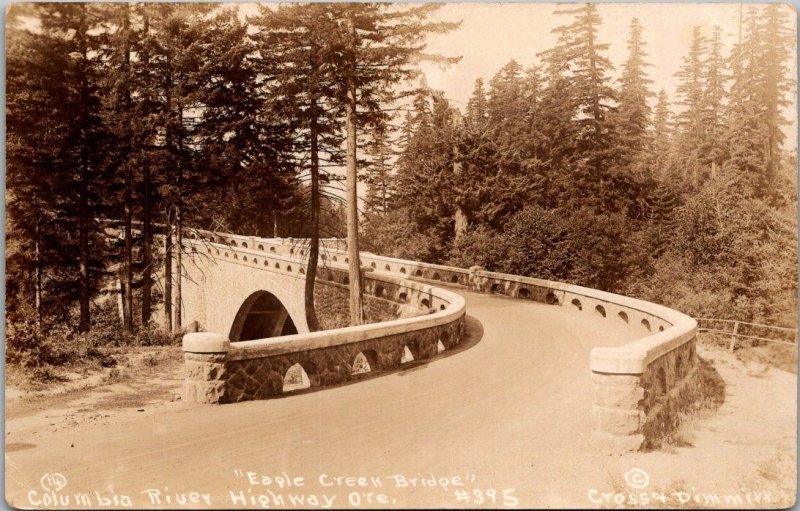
(636, 386)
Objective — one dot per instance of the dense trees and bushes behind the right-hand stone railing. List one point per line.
(556, 172)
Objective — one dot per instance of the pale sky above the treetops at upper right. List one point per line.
(492, 34)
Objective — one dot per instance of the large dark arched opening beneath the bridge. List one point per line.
(261, 316)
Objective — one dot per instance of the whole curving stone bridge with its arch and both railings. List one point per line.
(246, 295)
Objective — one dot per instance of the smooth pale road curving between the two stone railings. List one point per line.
(512, 411)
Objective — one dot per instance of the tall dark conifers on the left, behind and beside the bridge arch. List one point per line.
(129, 123)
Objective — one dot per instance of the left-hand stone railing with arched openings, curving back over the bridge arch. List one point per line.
(221, 371)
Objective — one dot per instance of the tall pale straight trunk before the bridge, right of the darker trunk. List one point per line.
(356, 296)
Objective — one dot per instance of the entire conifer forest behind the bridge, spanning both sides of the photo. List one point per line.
(155, 118)
